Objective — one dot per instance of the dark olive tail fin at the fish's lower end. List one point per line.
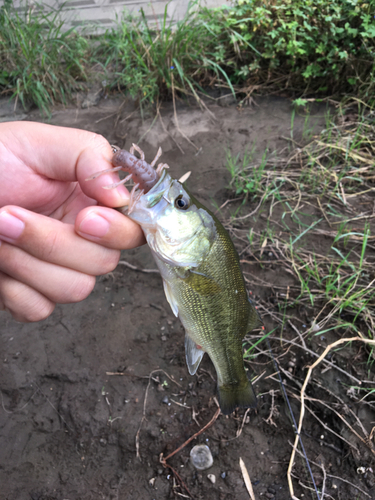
(232, 396)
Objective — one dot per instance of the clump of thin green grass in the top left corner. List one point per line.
(39, 61)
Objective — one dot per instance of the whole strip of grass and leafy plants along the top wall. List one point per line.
(305, 47)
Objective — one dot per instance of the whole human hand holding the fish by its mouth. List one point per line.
(54, 238)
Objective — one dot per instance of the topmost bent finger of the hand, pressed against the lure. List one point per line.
(66, 154)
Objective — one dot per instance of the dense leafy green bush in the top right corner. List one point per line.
(316, 45)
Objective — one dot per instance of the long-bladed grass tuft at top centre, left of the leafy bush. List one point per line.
(155, 63)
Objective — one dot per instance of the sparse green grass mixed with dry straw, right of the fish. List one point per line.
(316, 206)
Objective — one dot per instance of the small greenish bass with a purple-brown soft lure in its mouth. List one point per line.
(201, 274)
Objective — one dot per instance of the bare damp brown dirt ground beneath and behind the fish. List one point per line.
(73, 387)
